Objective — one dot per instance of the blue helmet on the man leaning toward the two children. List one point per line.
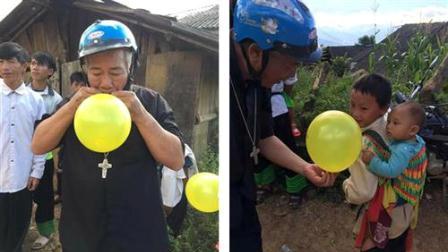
(283, 25)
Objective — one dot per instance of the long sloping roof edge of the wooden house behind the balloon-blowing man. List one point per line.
(30, 10)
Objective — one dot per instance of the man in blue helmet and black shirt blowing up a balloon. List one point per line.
(122, 211)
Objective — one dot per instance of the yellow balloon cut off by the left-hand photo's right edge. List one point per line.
(202, 192)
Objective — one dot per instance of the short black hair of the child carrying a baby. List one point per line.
(377, 86)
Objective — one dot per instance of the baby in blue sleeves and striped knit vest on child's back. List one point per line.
(407, 161)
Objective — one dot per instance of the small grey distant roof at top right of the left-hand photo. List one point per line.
(206, 20)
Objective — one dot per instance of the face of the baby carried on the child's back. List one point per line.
(400, 125)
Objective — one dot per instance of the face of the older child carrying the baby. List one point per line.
(364, 108)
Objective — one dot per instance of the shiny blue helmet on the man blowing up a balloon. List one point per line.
(106, 35)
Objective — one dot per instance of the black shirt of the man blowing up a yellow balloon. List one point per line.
(124, 211)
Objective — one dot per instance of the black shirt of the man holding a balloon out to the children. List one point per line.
(241, 164)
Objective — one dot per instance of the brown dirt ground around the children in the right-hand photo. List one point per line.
(324, 223)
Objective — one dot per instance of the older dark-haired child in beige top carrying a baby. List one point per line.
(369, 101)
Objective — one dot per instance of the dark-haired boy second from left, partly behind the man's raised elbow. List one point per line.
(42, 68)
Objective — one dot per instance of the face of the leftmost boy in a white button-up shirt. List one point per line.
(12, 72)
